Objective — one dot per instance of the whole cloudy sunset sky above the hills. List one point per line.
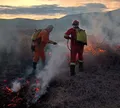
(49, 9)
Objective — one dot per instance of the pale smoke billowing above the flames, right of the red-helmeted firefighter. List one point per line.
(104, 26)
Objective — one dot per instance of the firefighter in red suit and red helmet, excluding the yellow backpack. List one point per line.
(75, 47)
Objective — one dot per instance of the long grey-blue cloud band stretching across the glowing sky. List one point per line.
(51, 9)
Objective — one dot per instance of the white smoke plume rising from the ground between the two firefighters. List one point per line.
(56, 66)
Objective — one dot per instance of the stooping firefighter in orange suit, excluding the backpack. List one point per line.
(39, 45)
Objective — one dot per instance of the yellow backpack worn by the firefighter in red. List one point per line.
(81, 36)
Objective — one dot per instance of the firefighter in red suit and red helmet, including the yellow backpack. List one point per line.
(78, 40)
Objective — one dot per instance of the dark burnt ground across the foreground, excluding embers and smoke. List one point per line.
(97, 87)
